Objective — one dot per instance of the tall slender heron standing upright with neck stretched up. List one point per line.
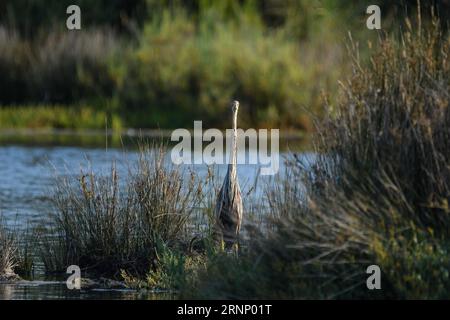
(229, 208)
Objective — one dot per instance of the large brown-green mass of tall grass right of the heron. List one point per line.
(378, 192)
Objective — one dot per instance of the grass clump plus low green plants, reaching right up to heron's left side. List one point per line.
(152, 230)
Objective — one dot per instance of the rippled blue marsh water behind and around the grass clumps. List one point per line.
(28, 169)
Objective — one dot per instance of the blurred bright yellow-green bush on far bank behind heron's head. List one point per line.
(182, 72)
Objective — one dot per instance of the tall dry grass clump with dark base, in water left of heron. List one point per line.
(106, 224)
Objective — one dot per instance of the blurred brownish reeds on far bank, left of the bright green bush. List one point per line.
(64, 68)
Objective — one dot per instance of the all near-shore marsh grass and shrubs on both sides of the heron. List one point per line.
(378, 193)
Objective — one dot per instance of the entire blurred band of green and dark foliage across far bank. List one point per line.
(163, 63)
